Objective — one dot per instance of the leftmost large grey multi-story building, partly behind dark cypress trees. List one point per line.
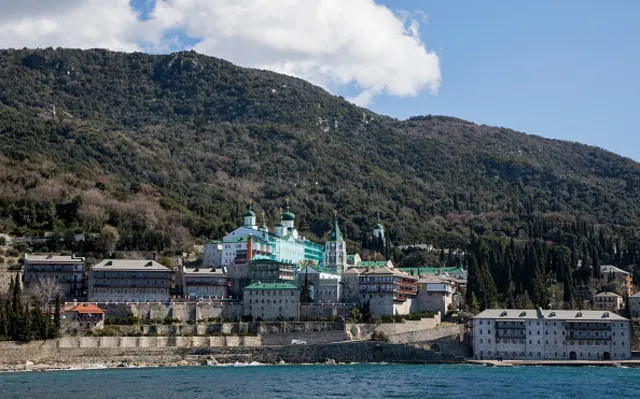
(67, 271)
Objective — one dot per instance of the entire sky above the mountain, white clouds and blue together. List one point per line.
(560, 69)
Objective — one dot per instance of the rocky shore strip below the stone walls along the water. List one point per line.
(344, 353)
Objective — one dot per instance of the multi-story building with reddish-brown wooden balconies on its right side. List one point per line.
(388, 291)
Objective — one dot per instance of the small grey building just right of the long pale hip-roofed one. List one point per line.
(205, 282)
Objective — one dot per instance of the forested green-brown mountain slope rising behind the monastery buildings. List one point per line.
(168, 147)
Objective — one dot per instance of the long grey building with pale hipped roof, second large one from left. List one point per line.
(115, 280)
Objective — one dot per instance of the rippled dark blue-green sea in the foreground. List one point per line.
(326, 381)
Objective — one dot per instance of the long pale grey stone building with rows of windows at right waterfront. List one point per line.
(551, 335)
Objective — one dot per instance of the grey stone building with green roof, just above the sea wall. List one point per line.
(272, 301)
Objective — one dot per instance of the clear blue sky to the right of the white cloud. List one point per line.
(560, 69)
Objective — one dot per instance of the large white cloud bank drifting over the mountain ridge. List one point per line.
(332, 43)
